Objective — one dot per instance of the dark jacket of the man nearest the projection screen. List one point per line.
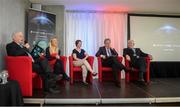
(130, 52)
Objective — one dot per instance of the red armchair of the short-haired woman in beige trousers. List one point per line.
(76, 72)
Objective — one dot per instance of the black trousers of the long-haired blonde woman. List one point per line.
(59, 68)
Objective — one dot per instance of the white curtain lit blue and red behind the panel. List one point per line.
(92, 28)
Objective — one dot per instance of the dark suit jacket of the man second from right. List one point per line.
(102, 51)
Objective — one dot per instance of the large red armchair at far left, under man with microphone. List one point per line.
(20, 69)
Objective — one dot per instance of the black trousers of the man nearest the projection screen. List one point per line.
(140, 63)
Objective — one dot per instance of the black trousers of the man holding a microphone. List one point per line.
(42, 68)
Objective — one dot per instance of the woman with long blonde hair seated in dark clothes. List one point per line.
(53, 53)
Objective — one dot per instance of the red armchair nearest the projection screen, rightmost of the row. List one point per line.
(132, 76)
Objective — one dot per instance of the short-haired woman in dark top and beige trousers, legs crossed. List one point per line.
(80, 56)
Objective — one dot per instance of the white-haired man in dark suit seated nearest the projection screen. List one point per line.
(137, 58)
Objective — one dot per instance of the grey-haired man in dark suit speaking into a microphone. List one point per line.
(18, 48)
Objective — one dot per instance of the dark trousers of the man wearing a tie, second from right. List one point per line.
(115, 65)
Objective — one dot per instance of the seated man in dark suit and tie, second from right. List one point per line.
(109, 59)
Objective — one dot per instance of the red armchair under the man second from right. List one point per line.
(105, 73)
